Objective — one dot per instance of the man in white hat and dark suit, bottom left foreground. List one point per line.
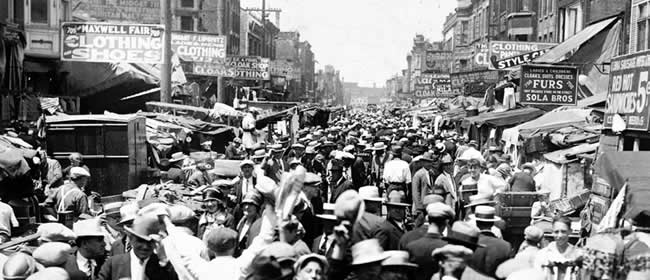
(91, 252)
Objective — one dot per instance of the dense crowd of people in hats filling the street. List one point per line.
(373, 196)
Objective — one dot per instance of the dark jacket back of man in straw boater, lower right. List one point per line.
(487, 259)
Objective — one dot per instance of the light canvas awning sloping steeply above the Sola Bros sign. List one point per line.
(566, 48)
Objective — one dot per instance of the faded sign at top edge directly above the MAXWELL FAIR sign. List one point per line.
(140, 11)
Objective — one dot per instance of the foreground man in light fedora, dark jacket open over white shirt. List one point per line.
(140, 263)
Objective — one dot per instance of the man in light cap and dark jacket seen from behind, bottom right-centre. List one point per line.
(438, 215)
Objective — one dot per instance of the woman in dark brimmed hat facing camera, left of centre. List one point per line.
(215, 214)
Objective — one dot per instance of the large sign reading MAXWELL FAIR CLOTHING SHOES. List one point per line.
(107, 42)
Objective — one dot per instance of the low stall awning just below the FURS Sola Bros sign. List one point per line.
(506, 118)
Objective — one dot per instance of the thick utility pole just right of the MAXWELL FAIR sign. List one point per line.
(166, 71)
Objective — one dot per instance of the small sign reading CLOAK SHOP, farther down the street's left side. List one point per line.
(249, 67)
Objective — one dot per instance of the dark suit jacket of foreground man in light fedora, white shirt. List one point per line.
(119, 267)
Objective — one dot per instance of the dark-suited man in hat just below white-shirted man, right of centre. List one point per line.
(392, 229)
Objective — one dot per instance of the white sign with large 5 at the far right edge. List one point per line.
(627, 94)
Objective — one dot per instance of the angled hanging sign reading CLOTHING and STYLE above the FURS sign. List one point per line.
(508, 54)
